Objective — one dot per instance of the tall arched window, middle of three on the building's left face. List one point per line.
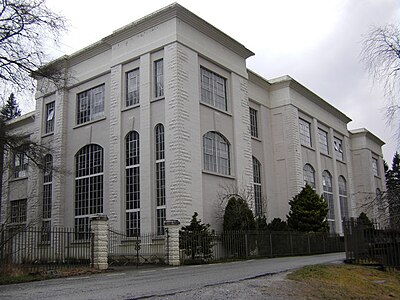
(132, 169)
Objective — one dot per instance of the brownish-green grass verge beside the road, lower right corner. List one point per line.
(347, 282)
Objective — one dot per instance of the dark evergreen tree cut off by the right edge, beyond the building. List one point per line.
(393, 191)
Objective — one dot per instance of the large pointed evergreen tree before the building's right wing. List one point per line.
(308, 212)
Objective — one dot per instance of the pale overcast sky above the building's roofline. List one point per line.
(316, 42)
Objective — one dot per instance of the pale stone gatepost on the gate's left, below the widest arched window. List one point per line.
(99, 229)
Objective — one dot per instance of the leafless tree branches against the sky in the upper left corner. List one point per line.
(26, 29)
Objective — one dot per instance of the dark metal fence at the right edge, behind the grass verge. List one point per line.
(366, 244)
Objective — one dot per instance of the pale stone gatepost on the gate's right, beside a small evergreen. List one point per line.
(172, 244)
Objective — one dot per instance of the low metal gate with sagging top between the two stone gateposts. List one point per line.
(136, 250)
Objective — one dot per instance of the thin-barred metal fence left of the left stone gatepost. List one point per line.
(36, 248)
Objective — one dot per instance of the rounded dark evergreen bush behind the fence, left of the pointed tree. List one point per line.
(238, 215)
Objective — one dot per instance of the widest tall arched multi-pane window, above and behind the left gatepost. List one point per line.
(88, 187)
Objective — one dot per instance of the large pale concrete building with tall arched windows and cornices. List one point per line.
(156, 119)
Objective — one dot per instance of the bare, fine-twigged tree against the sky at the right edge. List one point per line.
(381, 55)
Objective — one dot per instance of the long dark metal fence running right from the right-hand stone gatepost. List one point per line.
(196, 247)
